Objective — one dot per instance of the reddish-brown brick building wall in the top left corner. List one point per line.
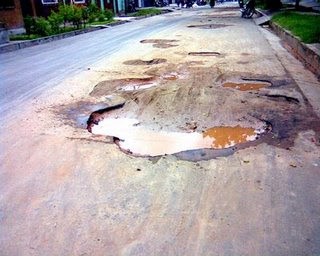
(12, 17)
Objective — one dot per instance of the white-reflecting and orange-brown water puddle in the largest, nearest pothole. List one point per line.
(139, 140)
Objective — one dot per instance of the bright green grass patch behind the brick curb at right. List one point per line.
(303, 25)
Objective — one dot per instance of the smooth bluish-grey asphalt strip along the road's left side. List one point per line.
(26, 73)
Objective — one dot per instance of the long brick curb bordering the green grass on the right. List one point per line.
(307, 55)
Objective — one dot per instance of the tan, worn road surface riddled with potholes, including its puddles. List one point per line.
(203, 140)
